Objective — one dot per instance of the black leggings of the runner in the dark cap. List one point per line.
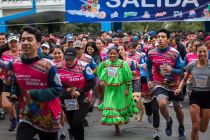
(75, 119)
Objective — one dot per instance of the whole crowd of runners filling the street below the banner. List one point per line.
(51, 82)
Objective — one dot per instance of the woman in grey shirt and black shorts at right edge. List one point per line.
(199, 98)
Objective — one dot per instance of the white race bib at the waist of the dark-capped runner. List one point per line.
(71, 104)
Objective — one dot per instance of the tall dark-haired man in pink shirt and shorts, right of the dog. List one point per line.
(166, 64)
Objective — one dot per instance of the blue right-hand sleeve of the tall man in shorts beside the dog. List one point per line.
(179, 66)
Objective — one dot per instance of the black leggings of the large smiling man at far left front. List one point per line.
(26, 131)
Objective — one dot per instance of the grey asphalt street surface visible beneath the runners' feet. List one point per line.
(144, 131)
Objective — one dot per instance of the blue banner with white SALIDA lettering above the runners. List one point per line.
(137, 10)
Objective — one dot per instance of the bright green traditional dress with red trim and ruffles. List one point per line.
(116, 107)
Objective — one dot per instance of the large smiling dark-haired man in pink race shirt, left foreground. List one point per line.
(39, 88)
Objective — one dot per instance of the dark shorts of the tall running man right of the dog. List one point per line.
(164, 93)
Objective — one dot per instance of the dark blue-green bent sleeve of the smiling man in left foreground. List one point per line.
(54, 90)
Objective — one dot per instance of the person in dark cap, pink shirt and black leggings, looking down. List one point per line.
(77, 79)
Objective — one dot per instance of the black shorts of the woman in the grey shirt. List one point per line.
(200, 98)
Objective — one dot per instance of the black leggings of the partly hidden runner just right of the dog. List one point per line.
(153, 108)
